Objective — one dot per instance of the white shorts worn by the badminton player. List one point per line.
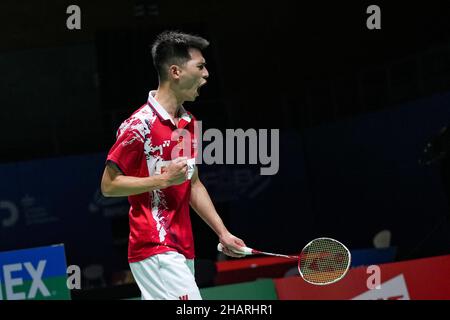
(166, 276)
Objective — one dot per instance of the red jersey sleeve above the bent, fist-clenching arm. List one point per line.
(127, 152)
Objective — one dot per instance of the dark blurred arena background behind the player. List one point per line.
(362, 117)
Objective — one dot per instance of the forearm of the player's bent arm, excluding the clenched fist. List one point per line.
(122, 186)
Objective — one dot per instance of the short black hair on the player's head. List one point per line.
(172, 47)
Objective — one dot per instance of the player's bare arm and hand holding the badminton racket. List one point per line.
(201, 202)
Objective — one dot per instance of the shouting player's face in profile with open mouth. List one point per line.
(193, 76)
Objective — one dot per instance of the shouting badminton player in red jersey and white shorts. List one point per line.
(160, 188)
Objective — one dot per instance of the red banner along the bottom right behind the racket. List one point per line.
(421, 279)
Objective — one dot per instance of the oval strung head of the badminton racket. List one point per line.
(324, 261)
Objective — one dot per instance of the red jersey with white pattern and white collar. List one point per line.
(159, 220)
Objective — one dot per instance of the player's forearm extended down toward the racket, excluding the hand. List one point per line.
(202, 204)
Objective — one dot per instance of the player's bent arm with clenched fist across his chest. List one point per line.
(116, 184)
